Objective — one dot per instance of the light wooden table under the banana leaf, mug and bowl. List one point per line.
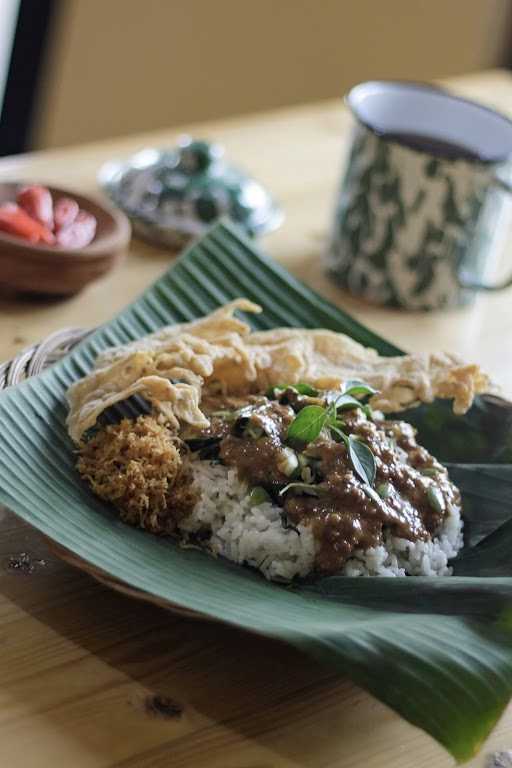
(89, 678)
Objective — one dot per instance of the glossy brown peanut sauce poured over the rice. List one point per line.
(343, 517)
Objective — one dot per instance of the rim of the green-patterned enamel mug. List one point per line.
(417, 85)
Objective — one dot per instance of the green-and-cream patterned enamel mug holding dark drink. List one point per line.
(420, 210)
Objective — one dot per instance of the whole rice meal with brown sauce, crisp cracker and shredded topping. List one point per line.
(149, 470)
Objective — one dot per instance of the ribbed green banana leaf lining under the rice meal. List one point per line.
(439, 651)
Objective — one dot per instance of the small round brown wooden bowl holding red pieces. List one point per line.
(45, 269)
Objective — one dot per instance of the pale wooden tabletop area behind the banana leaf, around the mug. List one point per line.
(298, 153)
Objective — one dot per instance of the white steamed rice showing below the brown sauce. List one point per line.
(255, 535)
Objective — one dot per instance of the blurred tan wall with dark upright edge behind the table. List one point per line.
(73, 71)
